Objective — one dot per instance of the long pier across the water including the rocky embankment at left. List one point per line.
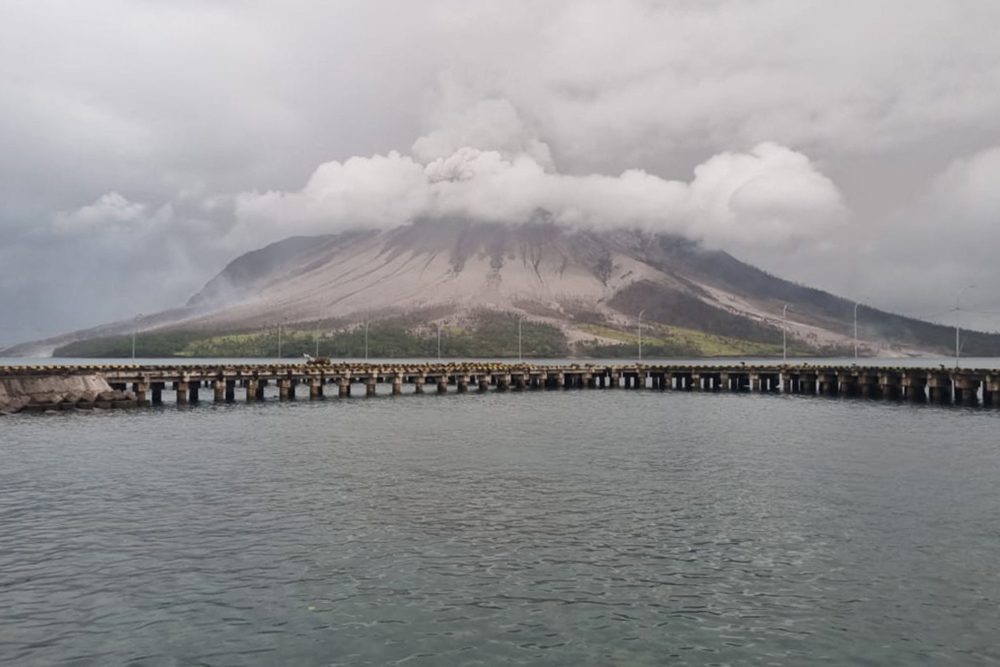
(134, 385)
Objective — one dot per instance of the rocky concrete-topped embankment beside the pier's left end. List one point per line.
(51, 393)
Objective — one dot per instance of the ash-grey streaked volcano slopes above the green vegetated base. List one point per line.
(590, 286)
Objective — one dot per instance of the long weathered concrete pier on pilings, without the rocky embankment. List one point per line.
(966, 386)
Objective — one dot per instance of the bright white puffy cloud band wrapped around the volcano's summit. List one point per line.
(770, 196)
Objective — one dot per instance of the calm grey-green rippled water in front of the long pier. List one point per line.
(557, 528)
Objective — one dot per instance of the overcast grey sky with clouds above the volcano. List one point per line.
(849, 145)
